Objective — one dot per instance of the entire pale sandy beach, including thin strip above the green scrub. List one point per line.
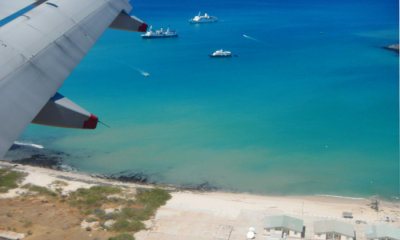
(221, 215)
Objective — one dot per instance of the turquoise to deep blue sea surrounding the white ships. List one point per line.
(309, 106)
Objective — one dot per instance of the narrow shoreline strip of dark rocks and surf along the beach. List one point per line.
(30, 154)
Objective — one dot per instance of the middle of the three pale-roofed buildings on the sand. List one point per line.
(333, 230)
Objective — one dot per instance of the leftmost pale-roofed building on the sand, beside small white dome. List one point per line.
(283, 227)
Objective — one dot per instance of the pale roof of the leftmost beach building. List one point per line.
(283, 222)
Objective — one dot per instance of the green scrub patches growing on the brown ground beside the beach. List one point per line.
(130, 217)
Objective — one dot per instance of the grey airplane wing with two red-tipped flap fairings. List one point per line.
(39, 49)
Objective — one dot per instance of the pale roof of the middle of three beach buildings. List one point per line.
(327, 226)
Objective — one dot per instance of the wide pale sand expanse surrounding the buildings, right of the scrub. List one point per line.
(214, 215)
